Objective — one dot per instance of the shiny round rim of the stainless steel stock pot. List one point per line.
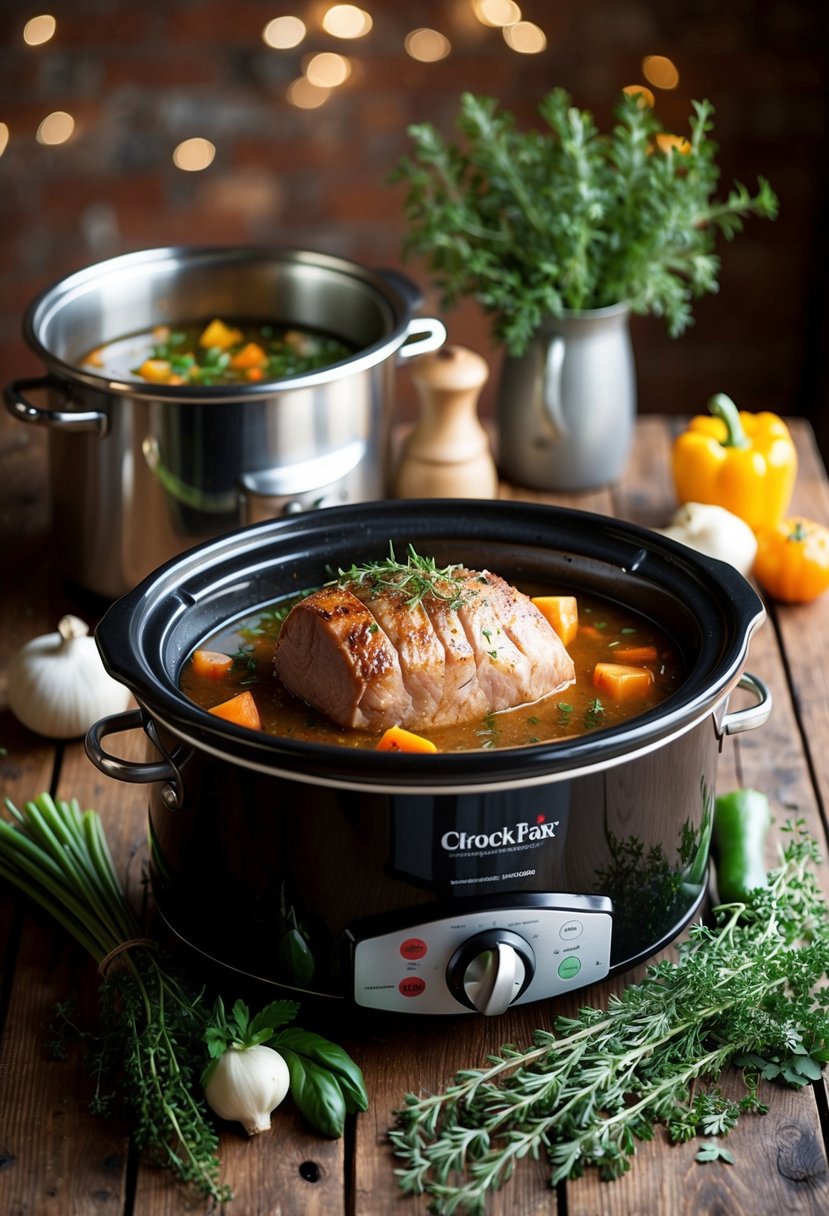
(398, 296)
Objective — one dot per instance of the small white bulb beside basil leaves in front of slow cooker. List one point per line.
(246, 1084)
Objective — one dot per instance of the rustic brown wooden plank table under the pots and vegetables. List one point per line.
(57, 1159)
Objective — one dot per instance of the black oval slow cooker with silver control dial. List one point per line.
(432, 883)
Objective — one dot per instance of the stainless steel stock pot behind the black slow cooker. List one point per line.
(140, 472)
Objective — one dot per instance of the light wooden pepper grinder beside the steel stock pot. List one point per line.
(448, 454)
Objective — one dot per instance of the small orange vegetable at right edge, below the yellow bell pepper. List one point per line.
(793, 560)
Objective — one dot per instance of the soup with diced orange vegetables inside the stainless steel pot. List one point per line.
(217, 352)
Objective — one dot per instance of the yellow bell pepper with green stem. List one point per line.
(745, 463)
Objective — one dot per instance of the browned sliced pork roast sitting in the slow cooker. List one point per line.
(371, 657)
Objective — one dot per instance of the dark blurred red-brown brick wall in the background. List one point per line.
(139, 78)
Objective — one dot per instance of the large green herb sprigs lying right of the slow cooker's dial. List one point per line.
(749, 992)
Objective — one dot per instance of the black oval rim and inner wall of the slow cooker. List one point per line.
(145, 638)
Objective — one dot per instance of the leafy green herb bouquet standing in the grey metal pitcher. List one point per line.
(540, 223)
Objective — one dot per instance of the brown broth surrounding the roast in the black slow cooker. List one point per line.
(605, 629)
